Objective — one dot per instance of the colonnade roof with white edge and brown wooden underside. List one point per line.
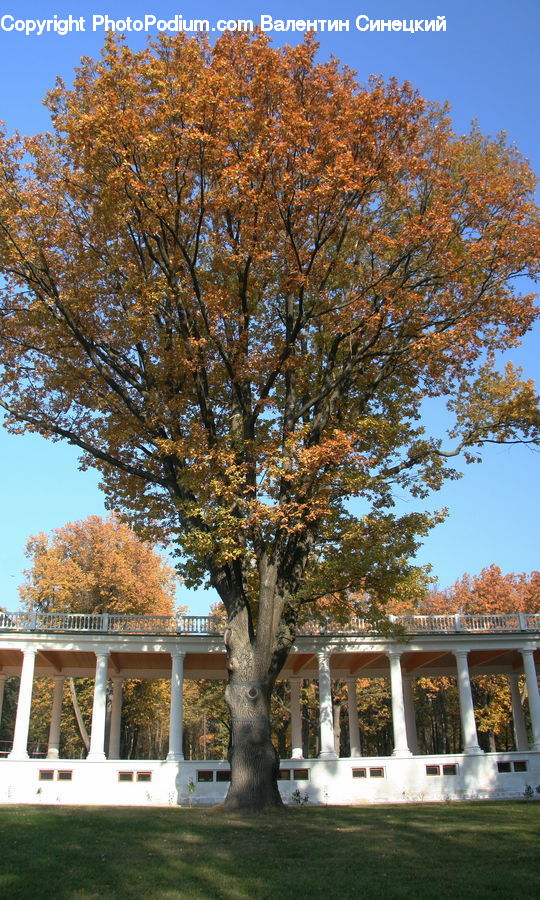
(352, 655)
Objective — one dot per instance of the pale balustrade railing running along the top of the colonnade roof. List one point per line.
(203, 625)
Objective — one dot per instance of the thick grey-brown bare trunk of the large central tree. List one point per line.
(253, 758)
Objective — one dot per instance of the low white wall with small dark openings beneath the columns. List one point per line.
(329, 781)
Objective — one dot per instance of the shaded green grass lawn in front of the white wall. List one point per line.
(459, 850)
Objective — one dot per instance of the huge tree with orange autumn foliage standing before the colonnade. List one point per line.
(232, 275)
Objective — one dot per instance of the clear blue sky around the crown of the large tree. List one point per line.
(487, 65)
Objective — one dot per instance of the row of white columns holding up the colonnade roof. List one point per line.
(403, 713)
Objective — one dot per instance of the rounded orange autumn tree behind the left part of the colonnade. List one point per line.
(96, 566)
